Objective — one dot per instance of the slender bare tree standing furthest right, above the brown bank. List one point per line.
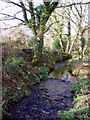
(81, 28)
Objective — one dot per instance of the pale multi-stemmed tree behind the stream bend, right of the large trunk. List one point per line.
(60, 19)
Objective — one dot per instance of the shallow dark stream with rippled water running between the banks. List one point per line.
(47, 97)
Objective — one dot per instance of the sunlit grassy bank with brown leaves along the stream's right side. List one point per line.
(80, 111)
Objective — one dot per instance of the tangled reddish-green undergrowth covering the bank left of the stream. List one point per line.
(18, 73)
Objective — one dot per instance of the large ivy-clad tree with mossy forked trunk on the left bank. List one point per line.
(39, 17)
